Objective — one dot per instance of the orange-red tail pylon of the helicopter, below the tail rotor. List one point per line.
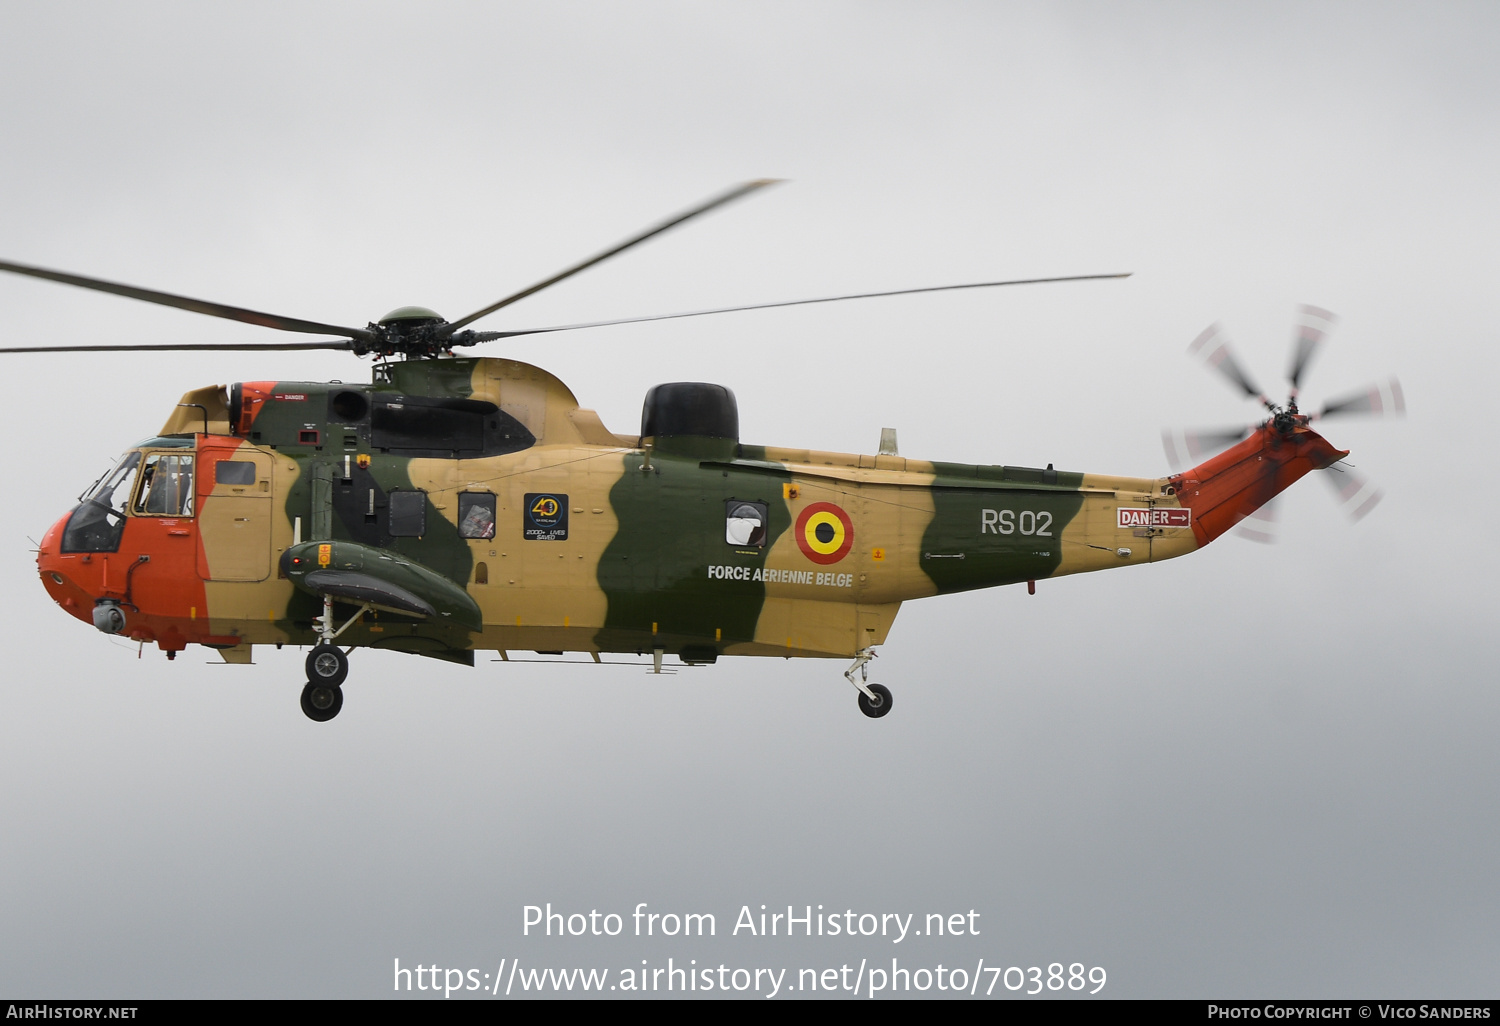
(1226, 490)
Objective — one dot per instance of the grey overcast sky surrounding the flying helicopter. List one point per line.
(1258, 772)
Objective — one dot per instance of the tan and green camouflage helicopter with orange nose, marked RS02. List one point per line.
(461, 505)
